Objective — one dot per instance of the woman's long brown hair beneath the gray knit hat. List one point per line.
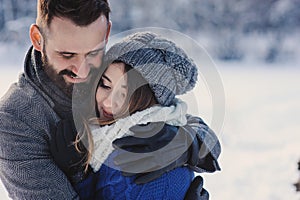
(139, 97)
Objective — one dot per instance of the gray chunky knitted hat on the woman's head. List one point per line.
(164, 65)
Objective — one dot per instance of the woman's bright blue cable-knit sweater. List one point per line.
(108, 183)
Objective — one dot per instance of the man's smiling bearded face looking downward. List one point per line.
(70, 52)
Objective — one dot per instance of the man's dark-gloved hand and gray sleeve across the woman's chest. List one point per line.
(195, 145)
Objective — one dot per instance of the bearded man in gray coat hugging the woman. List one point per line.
(68, 43)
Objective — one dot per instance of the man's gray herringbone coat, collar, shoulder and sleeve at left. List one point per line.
(26, 120)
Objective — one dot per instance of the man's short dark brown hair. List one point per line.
(80, 12)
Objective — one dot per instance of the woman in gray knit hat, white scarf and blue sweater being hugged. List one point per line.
(145, 72)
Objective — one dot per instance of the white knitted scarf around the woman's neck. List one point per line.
(103, 136)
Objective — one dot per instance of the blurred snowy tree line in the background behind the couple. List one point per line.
(224, 23)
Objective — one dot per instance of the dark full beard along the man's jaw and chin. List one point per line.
(57, 78)
